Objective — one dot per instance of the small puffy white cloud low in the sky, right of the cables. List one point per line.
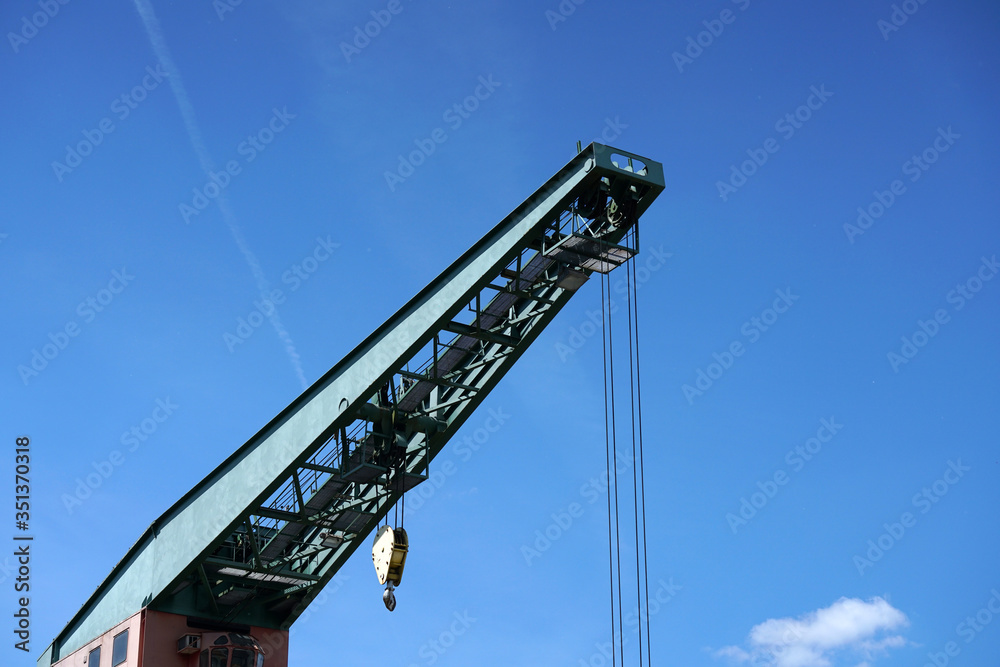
(856, 629)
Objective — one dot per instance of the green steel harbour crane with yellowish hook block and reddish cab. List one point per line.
(219, 578)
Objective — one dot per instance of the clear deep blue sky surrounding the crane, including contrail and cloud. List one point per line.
(774, 131)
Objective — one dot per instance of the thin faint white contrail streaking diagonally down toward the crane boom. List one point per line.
(155, 33)
